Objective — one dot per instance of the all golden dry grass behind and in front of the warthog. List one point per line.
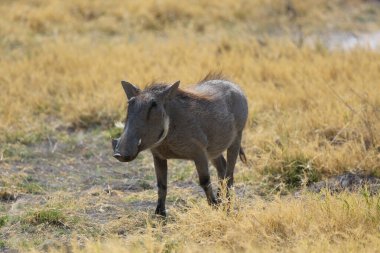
(61, 63)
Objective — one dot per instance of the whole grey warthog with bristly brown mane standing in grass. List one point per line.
(196, 124)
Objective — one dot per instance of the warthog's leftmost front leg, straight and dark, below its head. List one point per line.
(161, 168)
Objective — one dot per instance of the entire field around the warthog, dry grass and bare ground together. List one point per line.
(314, 114)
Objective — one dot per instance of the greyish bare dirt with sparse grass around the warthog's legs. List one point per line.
(98, 196)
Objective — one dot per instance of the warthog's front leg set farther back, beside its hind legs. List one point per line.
(201, 163)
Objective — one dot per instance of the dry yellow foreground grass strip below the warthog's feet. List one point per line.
(313, 223)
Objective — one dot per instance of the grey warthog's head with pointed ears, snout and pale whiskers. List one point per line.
(147, 123)
